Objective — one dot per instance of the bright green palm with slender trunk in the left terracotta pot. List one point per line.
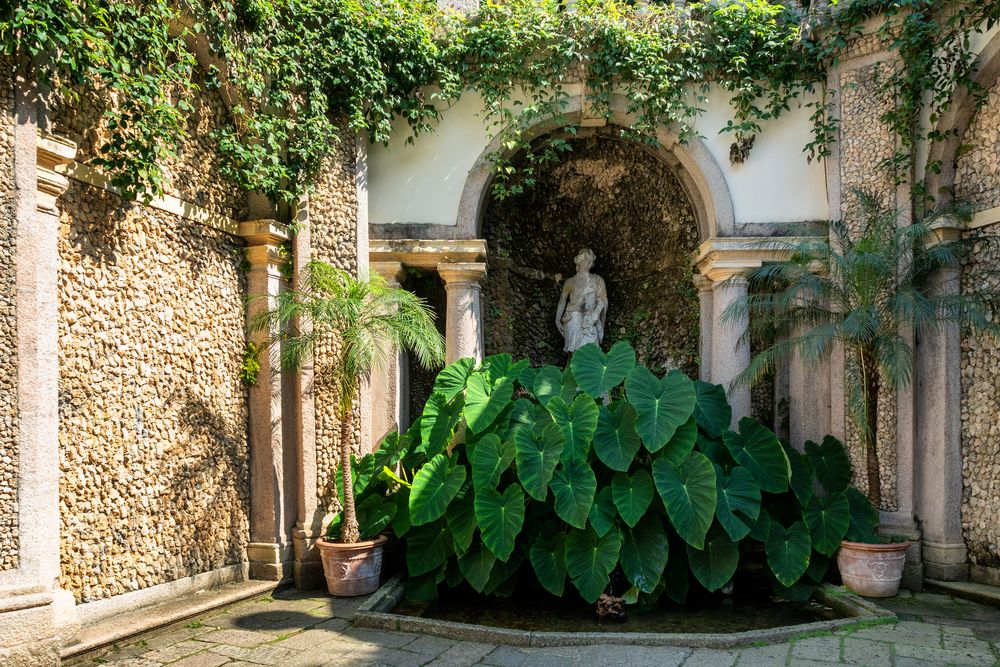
(361, 322)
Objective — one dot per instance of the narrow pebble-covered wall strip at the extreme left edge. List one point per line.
(9, 539)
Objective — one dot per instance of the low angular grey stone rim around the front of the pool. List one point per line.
(376, 613)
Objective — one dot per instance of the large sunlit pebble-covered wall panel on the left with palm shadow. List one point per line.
(153, 417)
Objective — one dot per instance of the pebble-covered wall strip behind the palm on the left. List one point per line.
(333, 223)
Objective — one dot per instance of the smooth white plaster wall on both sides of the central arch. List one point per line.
(422, 182)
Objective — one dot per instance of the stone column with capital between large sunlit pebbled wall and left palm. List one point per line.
(270, 549)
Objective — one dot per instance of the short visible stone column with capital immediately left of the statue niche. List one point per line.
(464, 325)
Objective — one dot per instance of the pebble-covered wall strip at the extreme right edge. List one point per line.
(978, 181)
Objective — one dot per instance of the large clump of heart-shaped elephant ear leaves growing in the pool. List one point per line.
(572, 479)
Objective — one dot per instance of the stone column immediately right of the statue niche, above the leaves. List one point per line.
(730, 349)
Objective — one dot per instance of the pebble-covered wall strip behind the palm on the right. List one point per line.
(864, 143)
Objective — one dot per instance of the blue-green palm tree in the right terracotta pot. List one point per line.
(864, 288)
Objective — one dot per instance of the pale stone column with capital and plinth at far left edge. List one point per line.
(36, 616)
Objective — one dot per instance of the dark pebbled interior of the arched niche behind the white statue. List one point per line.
(615, 197)
